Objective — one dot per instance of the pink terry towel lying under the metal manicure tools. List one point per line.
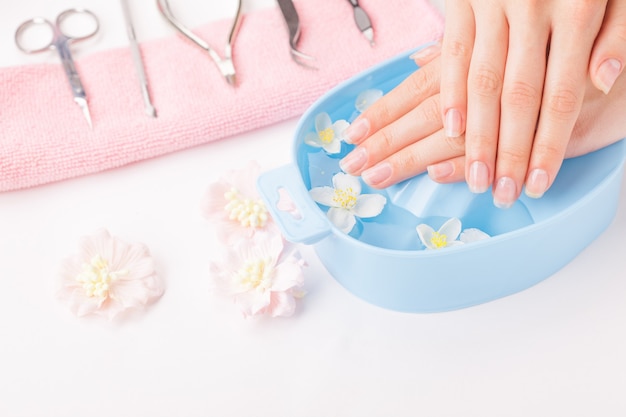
(44, 136)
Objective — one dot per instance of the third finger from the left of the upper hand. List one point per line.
(521, 99)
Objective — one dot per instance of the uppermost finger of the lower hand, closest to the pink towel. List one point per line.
(416, 88)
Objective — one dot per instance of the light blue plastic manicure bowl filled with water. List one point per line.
(381, 260)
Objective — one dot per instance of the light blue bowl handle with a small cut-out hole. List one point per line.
(310, 224)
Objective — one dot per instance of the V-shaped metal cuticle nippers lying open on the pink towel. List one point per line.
(225, 64)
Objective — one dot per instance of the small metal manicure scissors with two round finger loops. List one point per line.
(61, 39)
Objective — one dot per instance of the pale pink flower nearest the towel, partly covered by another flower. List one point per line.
(234, 206)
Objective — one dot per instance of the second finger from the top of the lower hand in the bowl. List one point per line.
(417, 124)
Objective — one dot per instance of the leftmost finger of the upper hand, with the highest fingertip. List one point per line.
(458, 41)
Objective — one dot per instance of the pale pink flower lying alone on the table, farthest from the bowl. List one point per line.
(108, 276)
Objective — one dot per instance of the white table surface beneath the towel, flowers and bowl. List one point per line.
(556, 349)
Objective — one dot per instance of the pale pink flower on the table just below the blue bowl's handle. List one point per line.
(263, 277)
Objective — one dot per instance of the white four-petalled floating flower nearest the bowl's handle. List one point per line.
(346, 201)
